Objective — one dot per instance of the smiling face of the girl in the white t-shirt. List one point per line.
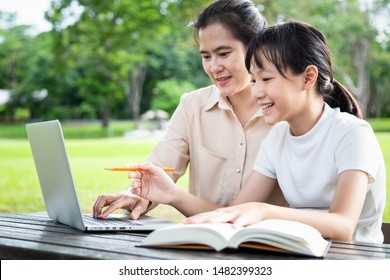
(280, 98)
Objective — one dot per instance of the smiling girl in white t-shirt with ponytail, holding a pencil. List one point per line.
(325, 158)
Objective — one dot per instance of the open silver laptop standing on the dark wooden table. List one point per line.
(58, 188)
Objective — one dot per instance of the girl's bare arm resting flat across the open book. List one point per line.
(338, 223)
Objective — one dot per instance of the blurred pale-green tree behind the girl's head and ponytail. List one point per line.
(350, 33)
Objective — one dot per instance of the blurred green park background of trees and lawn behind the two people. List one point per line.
(105, 66)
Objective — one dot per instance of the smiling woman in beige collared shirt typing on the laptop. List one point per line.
(216, 130)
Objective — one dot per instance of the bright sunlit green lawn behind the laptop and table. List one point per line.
(19, 186)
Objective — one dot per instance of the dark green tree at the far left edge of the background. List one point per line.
(23, 66)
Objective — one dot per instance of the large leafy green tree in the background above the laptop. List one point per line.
(112, 44)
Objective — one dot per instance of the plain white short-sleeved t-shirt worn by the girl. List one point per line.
(307, 166)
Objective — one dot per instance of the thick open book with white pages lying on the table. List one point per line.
(273, 234)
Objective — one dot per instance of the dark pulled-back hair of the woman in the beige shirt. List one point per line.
(241, 17)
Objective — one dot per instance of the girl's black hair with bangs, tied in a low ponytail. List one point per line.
(295, 45)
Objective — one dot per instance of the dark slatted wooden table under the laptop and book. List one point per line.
(35, 236)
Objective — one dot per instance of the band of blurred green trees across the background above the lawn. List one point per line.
(106, 59)
